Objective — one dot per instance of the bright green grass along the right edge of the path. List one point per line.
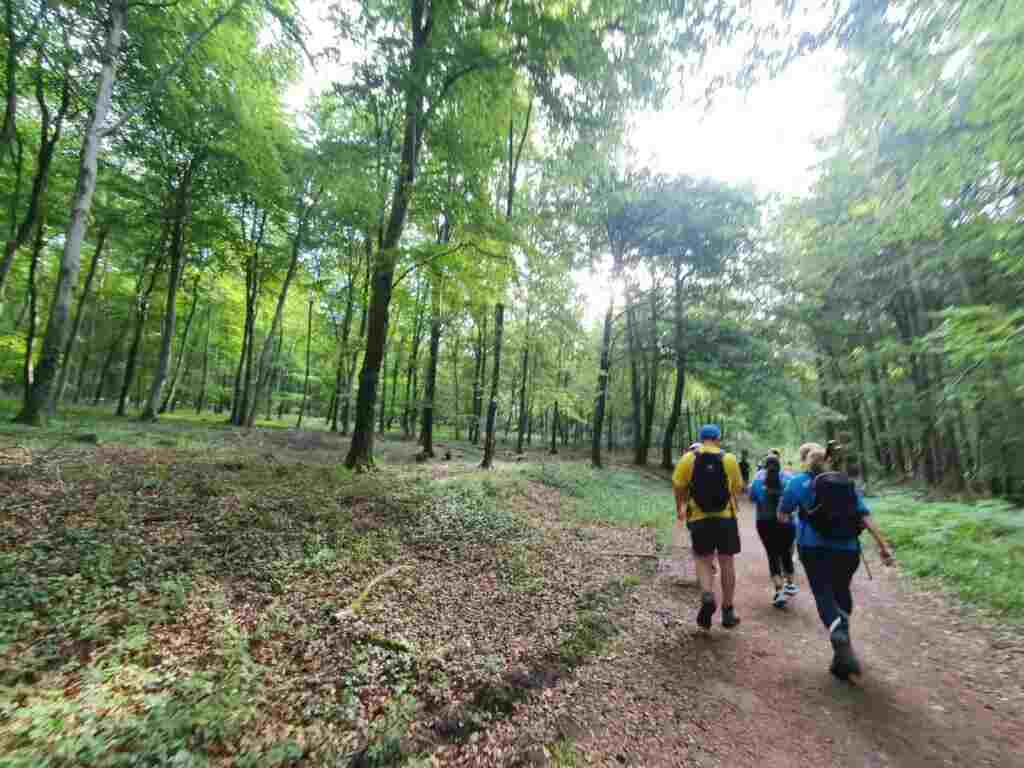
(977, 549)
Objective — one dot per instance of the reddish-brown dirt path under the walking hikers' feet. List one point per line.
(938, 690)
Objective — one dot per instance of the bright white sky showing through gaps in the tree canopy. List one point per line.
(765, 137)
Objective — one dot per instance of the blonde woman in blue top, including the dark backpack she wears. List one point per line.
(831, 517)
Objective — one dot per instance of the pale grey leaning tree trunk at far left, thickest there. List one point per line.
(36, 406)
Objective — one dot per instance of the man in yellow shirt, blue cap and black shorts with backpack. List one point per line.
(707, 484)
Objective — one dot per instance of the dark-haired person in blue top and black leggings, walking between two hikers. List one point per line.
(777, 536)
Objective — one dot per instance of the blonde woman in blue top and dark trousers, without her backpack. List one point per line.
(830, 562)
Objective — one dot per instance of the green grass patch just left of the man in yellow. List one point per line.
(614, 496)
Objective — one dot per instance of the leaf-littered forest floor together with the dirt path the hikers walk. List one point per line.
(194, 593)
